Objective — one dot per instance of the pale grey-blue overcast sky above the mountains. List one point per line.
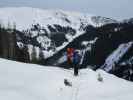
(118, 9)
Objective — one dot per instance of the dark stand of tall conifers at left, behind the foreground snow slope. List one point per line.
(8, 45)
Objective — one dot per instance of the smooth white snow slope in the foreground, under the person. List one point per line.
(19, 81)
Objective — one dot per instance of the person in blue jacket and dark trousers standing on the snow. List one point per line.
(76, 61)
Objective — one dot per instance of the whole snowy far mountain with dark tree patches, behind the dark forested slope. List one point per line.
(50, 29)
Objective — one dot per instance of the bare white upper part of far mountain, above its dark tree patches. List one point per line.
(24, 17)
